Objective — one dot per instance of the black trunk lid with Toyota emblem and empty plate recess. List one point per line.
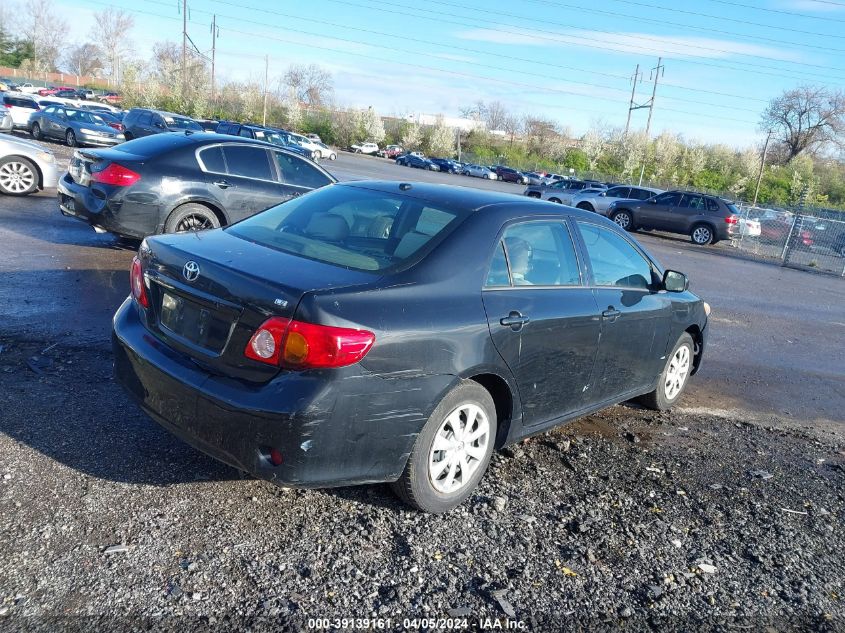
(210, 292)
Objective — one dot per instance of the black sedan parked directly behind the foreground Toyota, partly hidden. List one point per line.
(167, 183)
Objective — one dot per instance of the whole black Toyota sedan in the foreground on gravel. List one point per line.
(396, 332)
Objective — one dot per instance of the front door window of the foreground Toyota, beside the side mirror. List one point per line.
(614, 261)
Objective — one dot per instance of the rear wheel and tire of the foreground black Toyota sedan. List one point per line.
(431, 489)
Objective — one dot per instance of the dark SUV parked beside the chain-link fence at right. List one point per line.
(706, 219)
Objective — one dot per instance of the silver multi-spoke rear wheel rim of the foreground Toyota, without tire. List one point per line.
(459, 448)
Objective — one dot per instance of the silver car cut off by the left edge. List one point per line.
(25, 166)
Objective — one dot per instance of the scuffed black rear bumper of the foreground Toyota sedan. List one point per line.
(330, 432)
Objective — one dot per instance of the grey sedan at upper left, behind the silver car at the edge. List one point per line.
(74, 126)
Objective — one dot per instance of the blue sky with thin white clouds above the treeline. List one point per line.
(567, 60)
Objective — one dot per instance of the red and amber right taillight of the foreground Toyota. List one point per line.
(298, 345)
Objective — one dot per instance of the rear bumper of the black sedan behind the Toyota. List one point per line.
(110, 213)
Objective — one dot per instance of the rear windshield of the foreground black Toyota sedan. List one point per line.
(356, 228)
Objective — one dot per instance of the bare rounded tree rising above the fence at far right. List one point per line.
(805, 119)
